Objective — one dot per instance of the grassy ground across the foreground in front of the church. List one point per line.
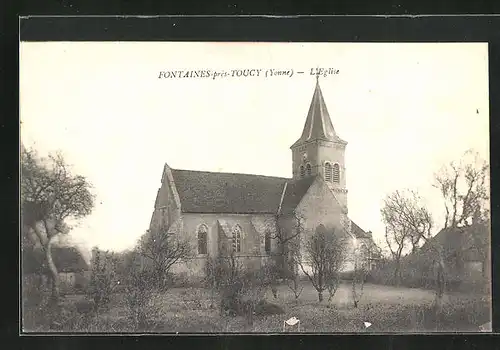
(388, 309)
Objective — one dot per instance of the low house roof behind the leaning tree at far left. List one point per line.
(66, 259)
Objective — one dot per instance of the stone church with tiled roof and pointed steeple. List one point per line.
(221, 211)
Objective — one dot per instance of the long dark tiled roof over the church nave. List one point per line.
(210, 192)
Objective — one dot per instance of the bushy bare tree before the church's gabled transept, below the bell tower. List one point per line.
(325, 254)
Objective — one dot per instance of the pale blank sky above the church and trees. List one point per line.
(405, 109)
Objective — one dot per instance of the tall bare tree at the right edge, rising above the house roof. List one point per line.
(464, 188)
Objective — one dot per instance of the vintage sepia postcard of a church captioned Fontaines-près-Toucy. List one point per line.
(230, 187)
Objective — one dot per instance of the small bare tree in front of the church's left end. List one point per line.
(162, 251)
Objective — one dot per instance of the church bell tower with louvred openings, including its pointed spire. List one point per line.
(320, 151)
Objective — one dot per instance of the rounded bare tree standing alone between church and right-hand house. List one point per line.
(407, 224)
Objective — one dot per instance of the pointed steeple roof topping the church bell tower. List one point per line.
(318, 124)
